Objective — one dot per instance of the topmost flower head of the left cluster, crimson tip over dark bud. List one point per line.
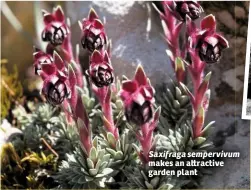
(55, 30)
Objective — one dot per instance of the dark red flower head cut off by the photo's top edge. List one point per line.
(181, 9)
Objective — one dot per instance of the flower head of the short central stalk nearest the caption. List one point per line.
(138, 99)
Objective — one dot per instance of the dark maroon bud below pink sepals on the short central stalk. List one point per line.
(139, 114)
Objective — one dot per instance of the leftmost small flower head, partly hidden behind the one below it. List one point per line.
(41, 58)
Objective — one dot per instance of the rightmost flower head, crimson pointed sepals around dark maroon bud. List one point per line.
(207, 42)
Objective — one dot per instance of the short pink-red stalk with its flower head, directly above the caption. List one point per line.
(138, 99)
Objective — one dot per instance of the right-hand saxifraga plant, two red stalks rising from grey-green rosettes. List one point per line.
(182, 125)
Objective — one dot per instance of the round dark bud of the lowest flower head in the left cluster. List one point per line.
(55, 91)
